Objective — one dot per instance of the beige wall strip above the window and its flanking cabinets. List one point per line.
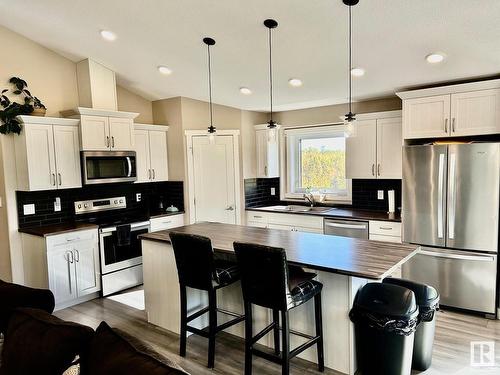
(332, 113)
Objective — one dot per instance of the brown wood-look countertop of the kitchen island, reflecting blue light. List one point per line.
(343, 255)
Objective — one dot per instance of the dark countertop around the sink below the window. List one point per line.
(339, 212)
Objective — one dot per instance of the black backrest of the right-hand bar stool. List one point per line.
(264, 275)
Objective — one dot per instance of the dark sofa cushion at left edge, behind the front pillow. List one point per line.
(13, 296)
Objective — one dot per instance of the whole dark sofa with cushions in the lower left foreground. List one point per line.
(35, 341)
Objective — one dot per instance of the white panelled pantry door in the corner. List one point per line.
(214, 184)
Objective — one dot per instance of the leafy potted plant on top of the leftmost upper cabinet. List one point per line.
(10, 109)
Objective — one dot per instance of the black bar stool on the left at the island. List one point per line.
(198, 269)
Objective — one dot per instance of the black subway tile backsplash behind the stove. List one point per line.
(170, 192)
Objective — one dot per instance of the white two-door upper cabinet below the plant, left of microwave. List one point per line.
(47, 154)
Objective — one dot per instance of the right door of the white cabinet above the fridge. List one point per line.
(476, 112)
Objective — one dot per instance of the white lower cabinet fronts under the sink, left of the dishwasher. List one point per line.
(291, 222)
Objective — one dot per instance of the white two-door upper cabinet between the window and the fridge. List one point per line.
(374, 146)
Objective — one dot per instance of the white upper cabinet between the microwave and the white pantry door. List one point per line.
(152, 152)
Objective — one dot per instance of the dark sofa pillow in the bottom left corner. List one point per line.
(39, 343)
